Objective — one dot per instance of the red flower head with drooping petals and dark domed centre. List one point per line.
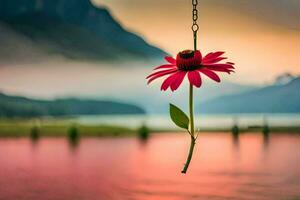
(192, 64)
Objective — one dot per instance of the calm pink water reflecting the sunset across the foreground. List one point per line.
(244, 168)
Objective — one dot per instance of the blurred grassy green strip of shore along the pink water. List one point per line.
(61, 128)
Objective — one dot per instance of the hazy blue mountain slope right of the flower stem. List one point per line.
(272, 99)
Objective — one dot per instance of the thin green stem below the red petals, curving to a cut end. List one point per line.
(192, 131)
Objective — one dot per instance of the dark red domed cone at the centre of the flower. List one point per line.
(188, 60)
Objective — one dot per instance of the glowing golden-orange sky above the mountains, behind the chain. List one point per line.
(261, 37)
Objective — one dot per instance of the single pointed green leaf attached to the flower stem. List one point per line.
(179, 117)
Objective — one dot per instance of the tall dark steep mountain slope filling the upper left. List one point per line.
(73, 28)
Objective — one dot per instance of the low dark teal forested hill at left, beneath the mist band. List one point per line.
(15, 106)
